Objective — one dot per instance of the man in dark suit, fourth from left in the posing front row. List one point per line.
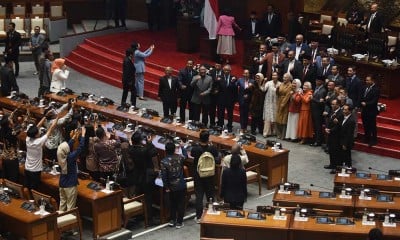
(228, 94)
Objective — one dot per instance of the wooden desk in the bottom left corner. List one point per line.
(26, 224)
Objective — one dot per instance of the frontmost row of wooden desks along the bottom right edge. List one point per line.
(221, 226)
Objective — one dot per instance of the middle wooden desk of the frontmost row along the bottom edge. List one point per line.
(312, 230)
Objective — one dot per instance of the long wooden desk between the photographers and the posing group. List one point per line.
(273, 165)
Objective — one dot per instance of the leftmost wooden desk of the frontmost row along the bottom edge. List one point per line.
(220, 226)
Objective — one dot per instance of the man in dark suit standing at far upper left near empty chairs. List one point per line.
(12, 44)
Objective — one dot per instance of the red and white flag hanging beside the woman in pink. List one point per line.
(211, 18)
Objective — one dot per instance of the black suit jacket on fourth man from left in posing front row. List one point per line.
(228, 93)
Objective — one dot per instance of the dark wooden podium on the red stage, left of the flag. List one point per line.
(188, 30)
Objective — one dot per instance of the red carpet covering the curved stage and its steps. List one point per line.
(101, 58)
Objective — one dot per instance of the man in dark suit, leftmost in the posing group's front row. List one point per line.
(168, 92)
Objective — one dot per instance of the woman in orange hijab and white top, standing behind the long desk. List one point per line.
(59, 75)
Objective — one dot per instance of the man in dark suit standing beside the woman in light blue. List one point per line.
(128, 78)
